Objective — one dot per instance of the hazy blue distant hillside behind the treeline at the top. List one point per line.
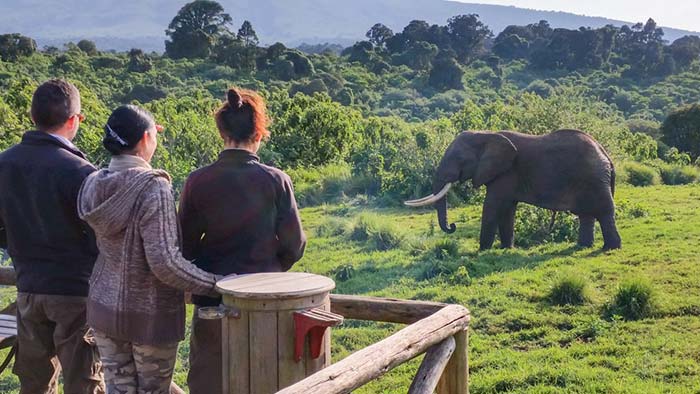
(142, 23)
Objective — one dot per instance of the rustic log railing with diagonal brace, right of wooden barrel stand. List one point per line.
(438, 330)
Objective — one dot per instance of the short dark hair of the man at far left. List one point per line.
(53, 103)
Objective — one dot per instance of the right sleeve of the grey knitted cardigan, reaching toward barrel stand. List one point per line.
(160, 234)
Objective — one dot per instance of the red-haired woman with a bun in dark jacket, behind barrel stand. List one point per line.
(238, 216)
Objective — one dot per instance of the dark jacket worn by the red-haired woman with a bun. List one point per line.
(239, 216)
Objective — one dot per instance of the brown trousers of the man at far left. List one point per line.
(52, 335)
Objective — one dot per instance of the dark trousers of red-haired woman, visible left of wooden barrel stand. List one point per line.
(205, 375)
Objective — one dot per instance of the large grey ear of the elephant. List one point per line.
(496, 158)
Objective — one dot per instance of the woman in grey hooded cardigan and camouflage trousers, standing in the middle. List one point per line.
(136, 300)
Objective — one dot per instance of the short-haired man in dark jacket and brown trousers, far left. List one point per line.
(52, 250)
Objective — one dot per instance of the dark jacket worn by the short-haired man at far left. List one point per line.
(52, 250)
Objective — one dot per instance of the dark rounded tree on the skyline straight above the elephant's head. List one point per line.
(467, 35)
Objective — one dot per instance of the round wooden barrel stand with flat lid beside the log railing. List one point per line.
(259, 338)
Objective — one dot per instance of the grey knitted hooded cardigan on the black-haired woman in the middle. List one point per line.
(136, 288)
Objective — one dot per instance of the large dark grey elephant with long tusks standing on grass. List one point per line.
(566, 170)
